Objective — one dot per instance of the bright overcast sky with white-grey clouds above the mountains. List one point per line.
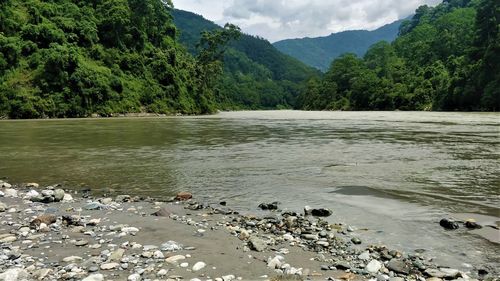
(282, 19)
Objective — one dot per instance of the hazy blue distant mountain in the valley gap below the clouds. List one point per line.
(321, 51)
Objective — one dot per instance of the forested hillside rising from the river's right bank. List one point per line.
(445, 58)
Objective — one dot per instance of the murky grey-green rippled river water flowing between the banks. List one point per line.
(391, 175)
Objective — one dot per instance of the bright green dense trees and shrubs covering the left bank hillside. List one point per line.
(67, 58)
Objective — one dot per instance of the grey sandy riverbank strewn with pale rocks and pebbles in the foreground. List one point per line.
(47, 233)
